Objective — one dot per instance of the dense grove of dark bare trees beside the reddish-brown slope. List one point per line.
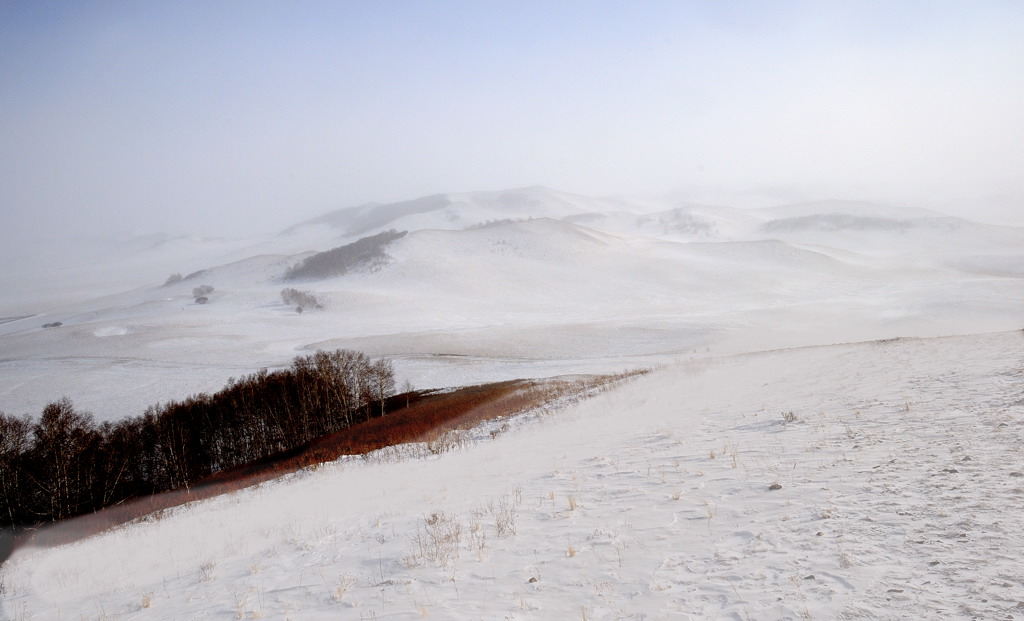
(66, 465)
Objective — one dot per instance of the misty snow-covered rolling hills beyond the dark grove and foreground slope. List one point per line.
(491, 285)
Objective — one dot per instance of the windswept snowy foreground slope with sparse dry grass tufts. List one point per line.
(901, 484)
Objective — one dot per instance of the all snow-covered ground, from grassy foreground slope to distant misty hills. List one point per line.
(651, 501)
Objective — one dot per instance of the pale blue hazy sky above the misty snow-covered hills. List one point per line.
(242, 117)
